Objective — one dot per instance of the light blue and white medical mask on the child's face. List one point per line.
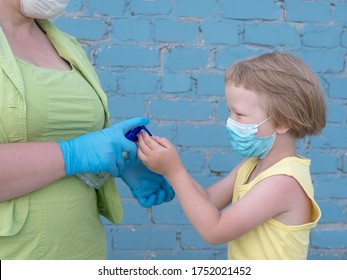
(243, 140)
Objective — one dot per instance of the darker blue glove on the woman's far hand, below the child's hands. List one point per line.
(148, 187)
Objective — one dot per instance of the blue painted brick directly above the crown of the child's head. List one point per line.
(282, 35)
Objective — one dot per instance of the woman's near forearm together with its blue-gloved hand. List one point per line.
(26, 167)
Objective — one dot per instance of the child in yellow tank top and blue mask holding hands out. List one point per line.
(273, 99)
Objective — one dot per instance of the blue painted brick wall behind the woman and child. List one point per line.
(165, 59)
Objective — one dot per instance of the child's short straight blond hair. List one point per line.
(288, 89)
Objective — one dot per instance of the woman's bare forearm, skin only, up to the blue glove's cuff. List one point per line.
(26, 167)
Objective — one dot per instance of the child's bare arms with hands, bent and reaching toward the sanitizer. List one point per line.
(268, 199)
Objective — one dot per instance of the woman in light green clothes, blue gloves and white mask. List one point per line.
(49, 96)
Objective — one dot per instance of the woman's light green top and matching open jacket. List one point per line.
(60, 220)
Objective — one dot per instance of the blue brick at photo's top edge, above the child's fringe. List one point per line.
(250, 9)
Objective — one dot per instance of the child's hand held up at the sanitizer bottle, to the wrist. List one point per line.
(158, 154)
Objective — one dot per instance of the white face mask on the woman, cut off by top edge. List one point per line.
(43, 9)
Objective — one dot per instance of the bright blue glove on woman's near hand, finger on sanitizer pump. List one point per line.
(101, 150)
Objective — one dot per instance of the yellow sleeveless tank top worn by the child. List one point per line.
(273, 239)
